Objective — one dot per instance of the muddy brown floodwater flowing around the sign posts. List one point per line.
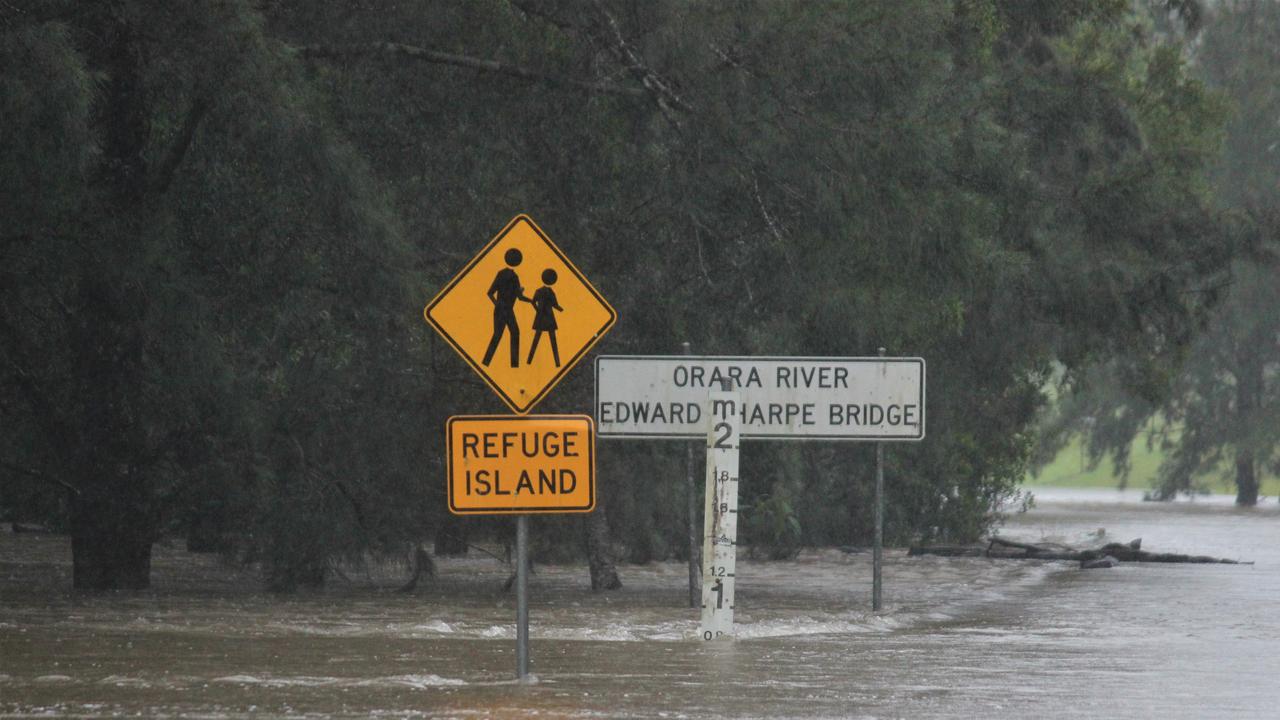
(959, 637)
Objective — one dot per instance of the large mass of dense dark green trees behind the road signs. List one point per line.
(223, 221)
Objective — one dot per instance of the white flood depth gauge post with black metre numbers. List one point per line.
(720, 536)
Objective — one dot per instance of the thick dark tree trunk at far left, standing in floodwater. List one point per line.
(113, 516)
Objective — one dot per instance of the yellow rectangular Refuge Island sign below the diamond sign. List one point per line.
(500, 464)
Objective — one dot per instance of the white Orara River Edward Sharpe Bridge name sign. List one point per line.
(657, 397)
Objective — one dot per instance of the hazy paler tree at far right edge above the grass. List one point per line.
(1227, 399)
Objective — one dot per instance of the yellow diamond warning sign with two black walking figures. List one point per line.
(522, 315)
